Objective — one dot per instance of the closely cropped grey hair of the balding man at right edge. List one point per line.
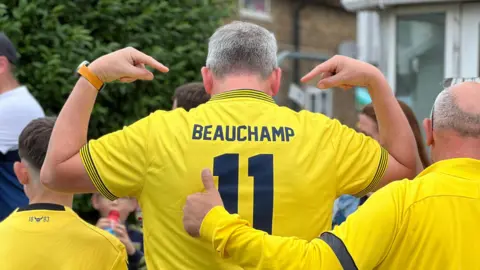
(448, 115)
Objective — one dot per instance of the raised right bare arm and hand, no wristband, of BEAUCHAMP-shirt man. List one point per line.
(395, 132)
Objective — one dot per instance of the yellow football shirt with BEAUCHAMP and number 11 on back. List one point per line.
(280, 169)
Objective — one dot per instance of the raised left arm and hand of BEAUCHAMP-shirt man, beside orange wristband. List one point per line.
(63, 169)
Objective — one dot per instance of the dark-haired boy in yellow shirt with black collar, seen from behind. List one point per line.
(47, 234)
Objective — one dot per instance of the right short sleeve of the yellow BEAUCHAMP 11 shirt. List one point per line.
(360, 160)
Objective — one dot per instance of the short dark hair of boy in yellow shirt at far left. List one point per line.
(33, 142)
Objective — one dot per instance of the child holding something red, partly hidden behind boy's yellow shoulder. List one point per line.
(113, 217)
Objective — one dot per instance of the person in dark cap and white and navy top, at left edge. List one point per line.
(17, 108)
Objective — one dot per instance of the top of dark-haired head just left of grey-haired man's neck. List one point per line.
(189, 96)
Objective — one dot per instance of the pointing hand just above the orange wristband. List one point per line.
(126, 65)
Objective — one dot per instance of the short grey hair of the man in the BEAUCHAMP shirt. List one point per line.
(242, 48)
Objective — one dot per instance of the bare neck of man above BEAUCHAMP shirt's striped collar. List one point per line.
(241, 82)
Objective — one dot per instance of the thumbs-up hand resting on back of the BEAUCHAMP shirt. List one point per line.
(199, 204)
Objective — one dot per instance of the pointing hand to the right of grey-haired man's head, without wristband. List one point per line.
(344, 72)
